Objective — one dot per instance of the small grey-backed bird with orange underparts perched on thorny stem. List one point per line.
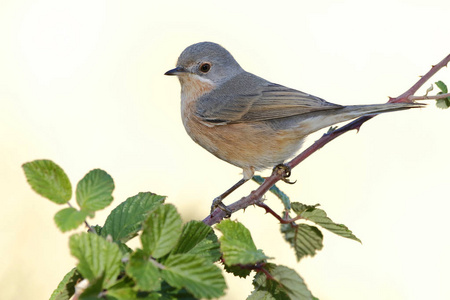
(246, 120)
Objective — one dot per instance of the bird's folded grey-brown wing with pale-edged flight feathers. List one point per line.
(248, 98)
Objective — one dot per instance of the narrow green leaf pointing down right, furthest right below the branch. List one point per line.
(320, 217)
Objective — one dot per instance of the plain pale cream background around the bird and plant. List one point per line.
(81, 83)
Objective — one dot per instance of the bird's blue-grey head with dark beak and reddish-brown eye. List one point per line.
(207, 60)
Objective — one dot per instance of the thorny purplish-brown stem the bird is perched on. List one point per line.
(218, 214)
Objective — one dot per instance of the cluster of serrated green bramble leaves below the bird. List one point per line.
(176, 260)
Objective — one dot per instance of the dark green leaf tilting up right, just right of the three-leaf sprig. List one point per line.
(124, 222)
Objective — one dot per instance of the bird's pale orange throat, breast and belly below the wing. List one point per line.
(250, 145)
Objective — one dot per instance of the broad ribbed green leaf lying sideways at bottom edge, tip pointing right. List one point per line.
(198, 275)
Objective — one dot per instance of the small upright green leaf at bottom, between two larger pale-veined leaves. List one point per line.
(144, 272)
